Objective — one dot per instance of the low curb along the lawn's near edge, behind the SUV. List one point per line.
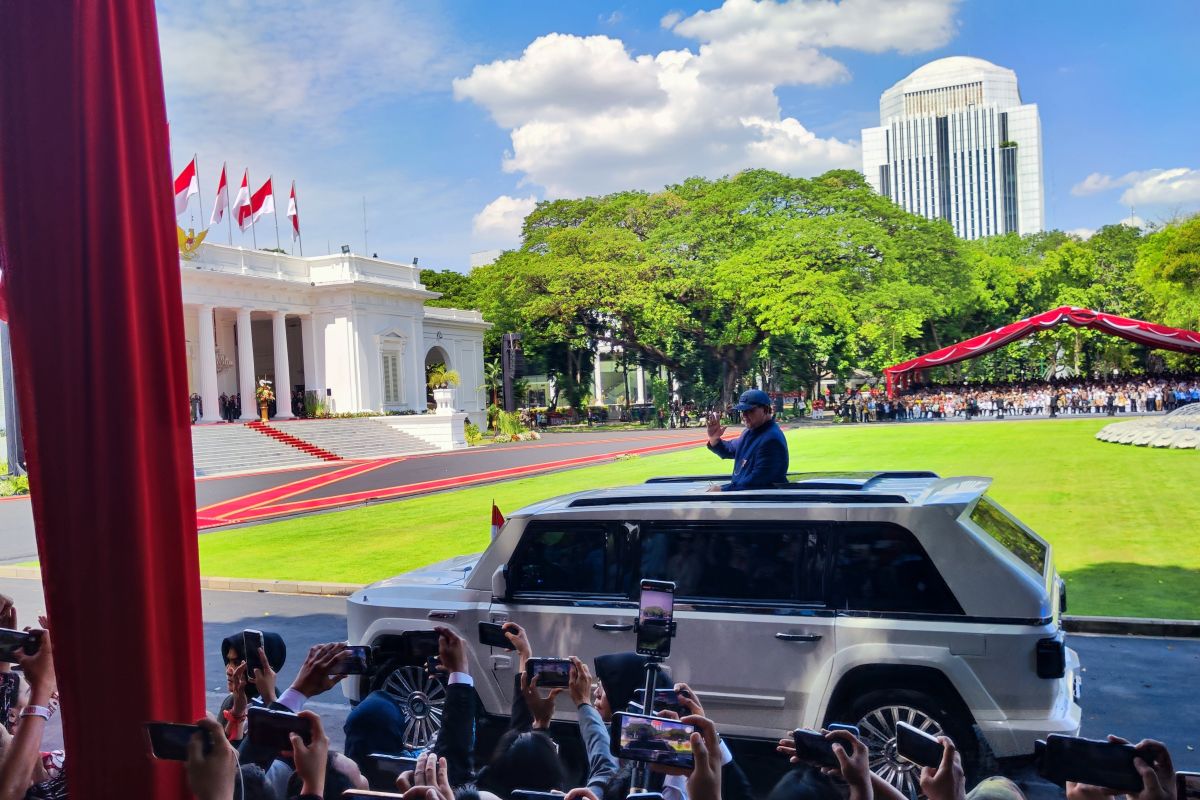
(1175, 629)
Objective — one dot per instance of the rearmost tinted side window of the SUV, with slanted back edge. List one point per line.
(883, 568)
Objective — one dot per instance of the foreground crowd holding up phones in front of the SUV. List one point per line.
(224, 761)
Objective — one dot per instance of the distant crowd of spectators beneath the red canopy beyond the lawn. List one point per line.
(1064, 398)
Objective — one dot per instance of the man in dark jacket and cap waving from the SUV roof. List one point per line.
(760, 454)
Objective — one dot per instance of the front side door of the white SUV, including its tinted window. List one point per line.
(567, 586)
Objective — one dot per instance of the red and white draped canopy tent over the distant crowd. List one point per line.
(1136, 330)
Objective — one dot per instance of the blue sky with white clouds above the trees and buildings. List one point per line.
(452, 119)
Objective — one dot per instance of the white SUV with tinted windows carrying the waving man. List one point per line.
(837, 598)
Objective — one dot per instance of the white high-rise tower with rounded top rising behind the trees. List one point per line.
(956, 143)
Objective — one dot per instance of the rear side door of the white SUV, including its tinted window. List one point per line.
(753, 635)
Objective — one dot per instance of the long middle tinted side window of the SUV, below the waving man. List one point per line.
(730, 561)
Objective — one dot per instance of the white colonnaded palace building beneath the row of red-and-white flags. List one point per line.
(353, 330)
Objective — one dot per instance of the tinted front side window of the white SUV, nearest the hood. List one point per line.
(567, 557)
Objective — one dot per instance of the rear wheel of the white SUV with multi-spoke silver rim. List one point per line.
(877, 715)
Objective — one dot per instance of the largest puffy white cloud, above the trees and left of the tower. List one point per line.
(589, 117)
